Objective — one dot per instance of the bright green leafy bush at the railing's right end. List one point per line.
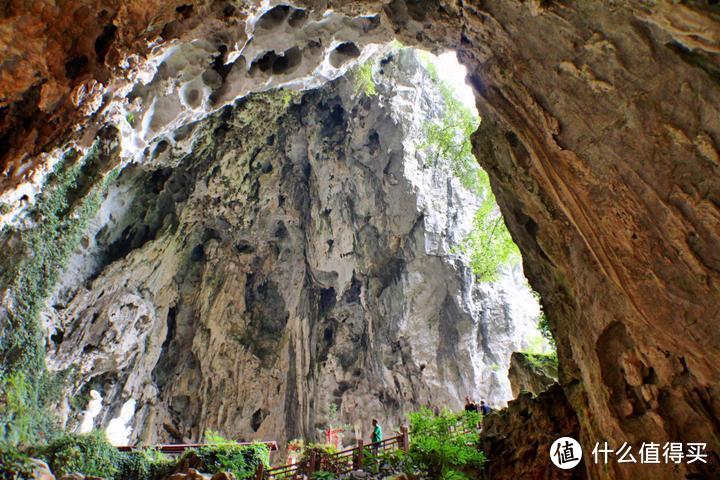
(445, 446)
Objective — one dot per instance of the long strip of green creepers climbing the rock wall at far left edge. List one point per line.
(68, 201)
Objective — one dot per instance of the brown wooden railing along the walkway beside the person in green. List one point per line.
(338, 463)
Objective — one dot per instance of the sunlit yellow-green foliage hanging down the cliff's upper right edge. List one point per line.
(447, 141)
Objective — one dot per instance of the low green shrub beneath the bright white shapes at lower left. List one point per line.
(88, 453)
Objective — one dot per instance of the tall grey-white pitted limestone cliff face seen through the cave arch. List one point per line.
(297, 257)
